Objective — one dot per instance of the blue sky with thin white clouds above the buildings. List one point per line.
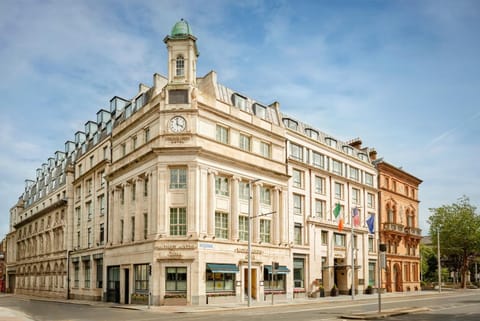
(404, 76)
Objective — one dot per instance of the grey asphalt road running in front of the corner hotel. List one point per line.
(459, 305)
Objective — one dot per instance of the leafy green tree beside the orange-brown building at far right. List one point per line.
(459, 228)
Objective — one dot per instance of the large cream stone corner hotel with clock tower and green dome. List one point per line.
(158, 200)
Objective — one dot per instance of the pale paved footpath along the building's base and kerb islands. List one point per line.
(7, 314)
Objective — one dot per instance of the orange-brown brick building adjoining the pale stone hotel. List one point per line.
(399, 230)
